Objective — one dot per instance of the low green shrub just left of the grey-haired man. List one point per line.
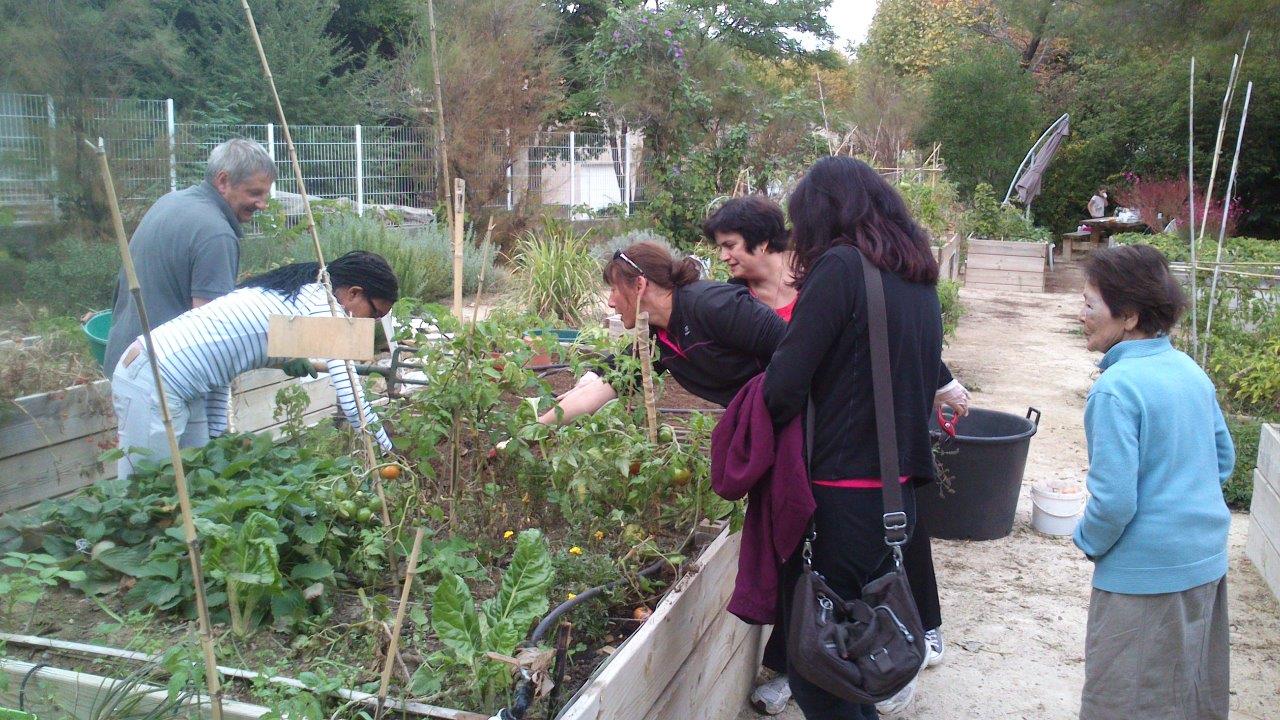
(76, 276)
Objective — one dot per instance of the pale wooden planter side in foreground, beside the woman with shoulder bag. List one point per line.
(692, 659)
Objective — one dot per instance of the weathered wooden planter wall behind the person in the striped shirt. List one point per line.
(51, 443)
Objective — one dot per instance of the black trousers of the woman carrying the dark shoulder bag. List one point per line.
(849, 552)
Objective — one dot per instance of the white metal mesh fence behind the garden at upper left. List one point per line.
(390, 166)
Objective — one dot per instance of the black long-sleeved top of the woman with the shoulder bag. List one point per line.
(826, 356)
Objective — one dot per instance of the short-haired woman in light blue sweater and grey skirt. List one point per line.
(1156, 523)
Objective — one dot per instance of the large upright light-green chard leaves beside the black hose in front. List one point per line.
(501, 622)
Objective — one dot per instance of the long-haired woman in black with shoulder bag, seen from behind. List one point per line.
(843, 208)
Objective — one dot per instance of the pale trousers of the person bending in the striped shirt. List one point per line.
(140, 426)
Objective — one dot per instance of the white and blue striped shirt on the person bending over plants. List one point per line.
(200, 352)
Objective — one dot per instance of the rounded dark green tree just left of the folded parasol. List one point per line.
(985, 112)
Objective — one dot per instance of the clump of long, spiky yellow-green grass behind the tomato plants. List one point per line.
(559, 276)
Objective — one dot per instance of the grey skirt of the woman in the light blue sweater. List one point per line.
(1158, 657)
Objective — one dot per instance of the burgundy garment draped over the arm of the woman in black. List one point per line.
(748, 459)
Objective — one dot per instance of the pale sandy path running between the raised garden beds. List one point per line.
(1014, 610)
